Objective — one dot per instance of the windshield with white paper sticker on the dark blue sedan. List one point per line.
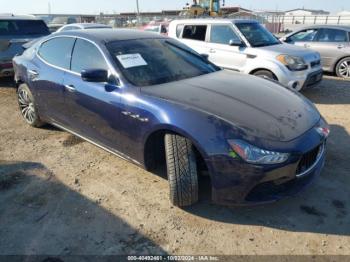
(148, 62)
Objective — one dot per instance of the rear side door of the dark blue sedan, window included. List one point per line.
(46, 73)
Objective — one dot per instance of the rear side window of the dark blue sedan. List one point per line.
(57, 51)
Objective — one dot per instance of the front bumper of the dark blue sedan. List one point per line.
(235, 182)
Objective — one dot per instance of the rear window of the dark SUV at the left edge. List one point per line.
(23, 27)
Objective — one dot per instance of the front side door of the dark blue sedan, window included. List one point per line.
(93, 108)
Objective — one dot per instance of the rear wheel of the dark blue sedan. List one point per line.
(27, 107)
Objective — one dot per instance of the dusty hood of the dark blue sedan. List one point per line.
(260, 108)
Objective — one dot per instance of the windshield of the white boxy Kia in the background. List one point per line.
(257, 35)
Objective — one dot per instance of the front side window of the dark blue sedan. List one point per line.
(87, 56)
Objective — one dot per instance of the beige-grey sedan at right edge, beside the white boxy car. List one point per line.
(331, 41)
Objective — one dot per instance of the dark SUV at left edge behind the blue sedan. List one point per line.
(14, 32)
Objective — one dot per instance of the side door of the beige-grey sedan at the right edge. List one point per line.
(332, 44)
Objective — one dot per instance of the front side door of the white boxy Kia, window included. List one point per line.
(221, 52)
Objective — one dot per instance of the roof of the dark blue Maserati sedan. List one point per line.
(110, 35)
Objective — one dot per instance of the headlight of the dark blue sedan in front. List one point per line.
(255, 155)
